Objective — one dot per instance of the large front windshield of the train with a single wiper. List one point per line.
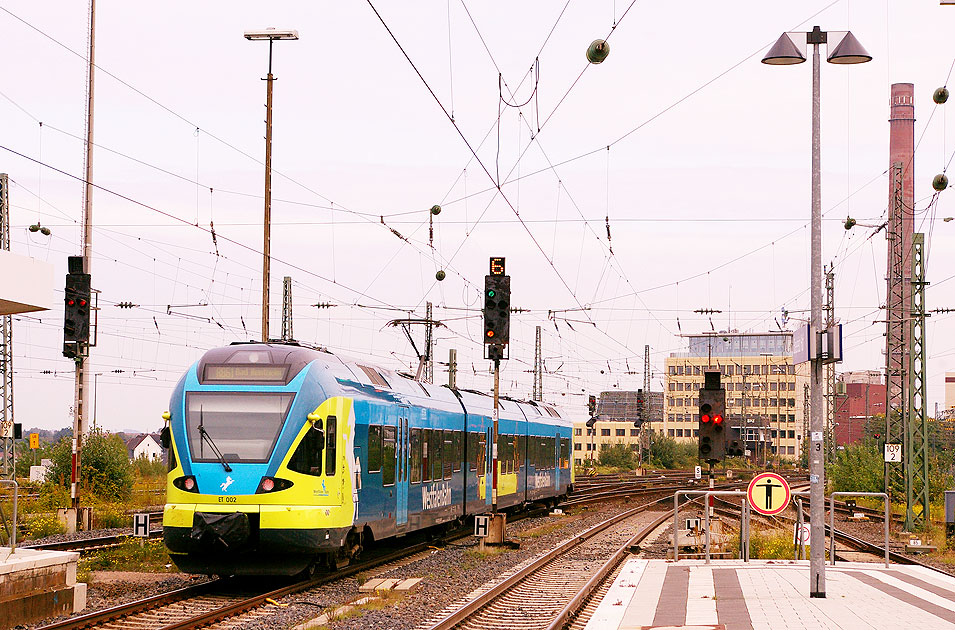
(242, 426)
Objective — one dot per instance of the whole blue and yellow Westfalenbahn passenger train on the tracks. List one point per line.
(284, 457)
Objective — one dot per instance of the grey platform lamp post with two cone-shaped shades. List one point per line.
(786, 52)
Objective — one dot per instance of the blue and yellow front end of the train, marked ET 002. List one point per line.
(262, 475)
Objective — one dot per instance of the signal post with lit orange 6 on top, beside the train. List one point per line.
(497, 316)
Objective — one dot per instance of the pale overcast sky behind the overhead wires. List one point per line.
(695, 153)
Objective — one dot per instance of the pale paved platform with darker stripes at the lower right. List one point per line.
(772, 594)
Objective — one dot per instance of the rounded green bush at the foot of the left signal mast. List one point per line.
(105, 469)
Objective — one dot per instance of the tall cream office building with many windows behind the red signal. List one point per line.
(765, 393)
